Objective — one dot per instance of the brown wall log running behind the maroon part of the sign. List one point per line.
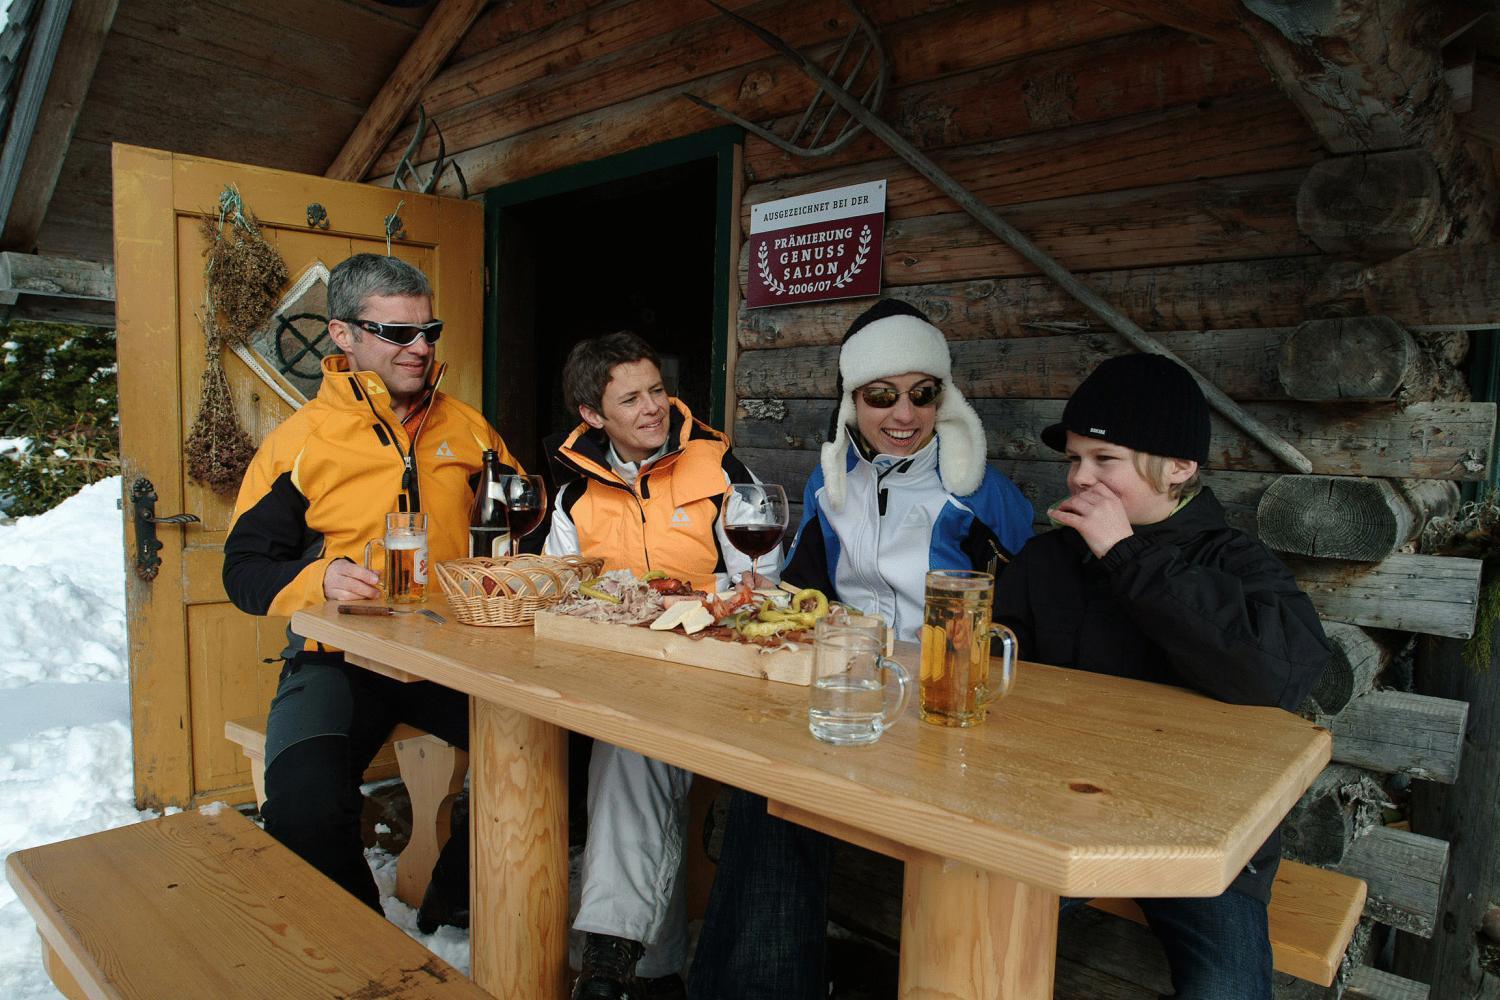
(1202, 221)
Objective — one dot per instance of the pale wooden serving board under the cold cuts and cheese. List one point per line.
(716, 654)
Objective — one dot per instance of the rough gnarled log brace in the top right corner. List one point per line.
(1369, 77)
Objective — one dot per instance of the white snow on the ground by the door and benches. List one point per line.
(65, 713)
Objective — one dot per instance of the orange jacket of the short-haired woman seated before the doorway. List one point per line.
(668, 519)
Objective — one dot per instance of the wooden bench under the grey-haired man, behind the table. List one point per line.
(434, 776)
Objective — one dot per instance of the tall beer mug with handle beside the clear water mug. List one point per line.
(959, 680)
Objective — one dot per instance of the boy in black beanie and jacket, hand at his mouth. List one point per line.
(1145, 579)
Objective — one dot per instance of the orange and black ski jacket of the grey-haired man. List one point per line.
(322, 484)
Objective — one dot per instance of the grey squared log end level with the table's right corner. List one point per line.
(1399, 732)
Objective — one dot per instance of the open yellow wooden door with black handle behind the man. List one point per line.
(196, 660)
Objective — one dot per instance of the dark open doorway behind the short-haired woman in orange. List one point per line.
(635, 251)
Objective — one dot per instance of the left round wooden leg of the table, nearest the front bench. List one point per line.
(518, 813)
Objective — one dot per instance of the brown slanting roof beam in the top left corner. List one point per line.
(58, 116)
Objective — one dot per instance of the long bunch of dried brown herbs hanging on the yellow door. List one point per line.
(244, 280)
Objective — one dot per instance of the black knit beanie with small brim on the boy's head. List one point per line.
(1138, 401)
